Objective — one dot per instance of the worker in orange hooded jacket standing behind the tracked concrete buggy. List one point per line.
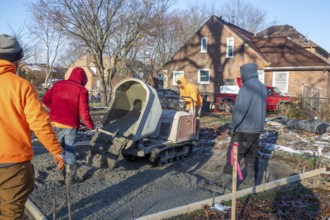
(194, 104)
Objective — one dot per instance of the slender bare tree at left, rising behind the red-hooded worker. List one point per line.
(48, 39)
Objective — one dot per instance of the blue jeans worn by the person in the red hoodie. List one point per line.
(67, 138)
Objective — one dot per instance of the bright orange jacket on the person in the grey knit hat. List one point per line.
(20, 112)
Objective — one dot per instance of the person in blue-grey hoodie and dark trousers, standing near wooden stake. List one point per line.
(248, 122)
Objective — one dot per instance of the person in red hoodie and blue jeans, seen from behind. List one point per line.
(67, 101)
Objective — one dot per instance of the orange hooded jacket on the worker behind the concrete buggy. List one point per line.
(192, 91)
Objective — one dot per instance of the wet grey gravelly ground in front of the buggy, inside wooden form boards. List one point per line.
(130, 189)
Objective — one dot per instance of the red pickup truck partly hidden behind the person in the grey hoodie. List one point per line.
(275, 99)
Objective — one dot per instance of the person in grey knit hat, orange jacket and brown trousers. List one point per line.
(21, 111)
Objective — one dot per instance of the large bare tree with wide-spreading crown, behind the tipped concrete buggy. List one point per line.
(105, 26)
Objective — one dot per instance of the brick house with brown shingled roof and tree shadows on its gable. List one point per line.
(214, 54)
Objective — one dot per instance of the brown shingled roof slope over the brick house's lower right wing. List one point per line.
(283, 52)
